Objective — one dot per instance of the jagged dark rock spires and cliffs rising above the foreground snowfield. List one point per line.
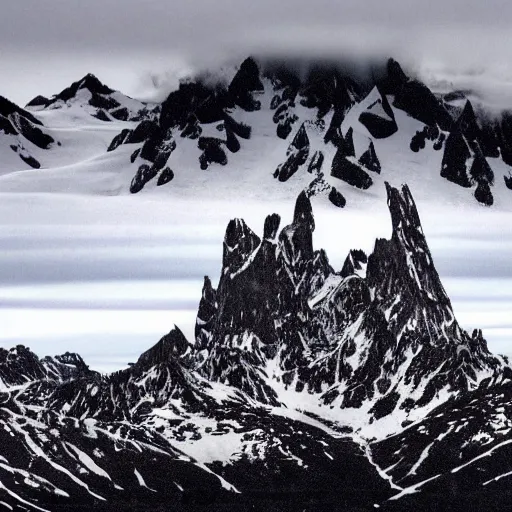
(406, 322)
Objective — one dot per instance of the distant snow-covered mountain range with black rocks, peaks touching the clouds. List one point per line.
(276, 130)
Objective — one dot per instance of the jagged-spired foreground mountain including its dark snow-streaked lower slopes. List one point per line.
(305, 388)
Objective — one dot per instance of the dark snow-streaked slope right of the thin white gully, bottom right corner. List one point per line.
(460, 450)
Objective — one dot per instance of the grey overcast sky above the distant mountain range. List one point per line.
(44, 45)
